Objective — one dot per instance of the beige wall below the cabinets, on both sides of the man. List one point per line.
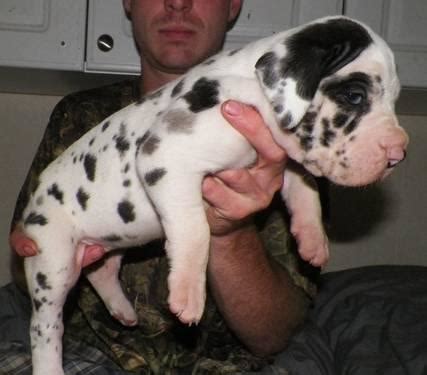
(383, 224)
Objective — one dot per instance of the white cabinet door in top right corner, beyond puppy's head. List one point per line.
(403, 24)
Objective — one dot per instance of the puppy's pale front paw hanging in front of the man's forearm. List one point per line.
(187, 299)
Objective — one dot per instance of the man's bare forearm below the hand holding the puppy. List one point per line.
(255, 295)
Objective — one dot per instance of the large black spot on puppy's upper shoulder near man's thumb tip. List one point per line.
(203, 95)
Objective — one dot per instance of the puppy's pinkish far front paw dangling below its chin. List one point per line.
(313, 244)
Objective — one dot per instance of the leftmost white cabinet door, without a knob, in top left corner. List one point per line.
(46, 34)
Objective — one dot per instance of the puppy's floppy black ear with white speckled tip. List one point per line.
(290, 79)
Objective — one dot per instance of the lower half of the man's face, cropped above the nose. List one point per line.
(174, 35)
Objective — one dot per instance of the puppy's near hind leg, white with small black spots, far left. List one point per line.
(50, 275)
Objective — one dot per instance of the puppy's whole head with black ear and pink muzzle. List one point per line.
(332, 85)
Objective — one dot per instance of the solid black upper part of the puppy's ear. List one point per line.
(321, 49)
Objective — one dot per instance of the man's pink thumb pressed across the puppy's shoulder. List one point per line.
(246, 120)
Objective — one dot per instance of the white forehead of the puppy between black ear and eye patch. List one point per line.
(377, 61)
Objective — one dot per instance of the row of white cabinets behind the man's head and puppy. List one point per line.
(96, 36)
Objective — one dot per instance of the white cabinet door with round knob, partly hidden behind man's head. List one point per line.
(110, 45)
